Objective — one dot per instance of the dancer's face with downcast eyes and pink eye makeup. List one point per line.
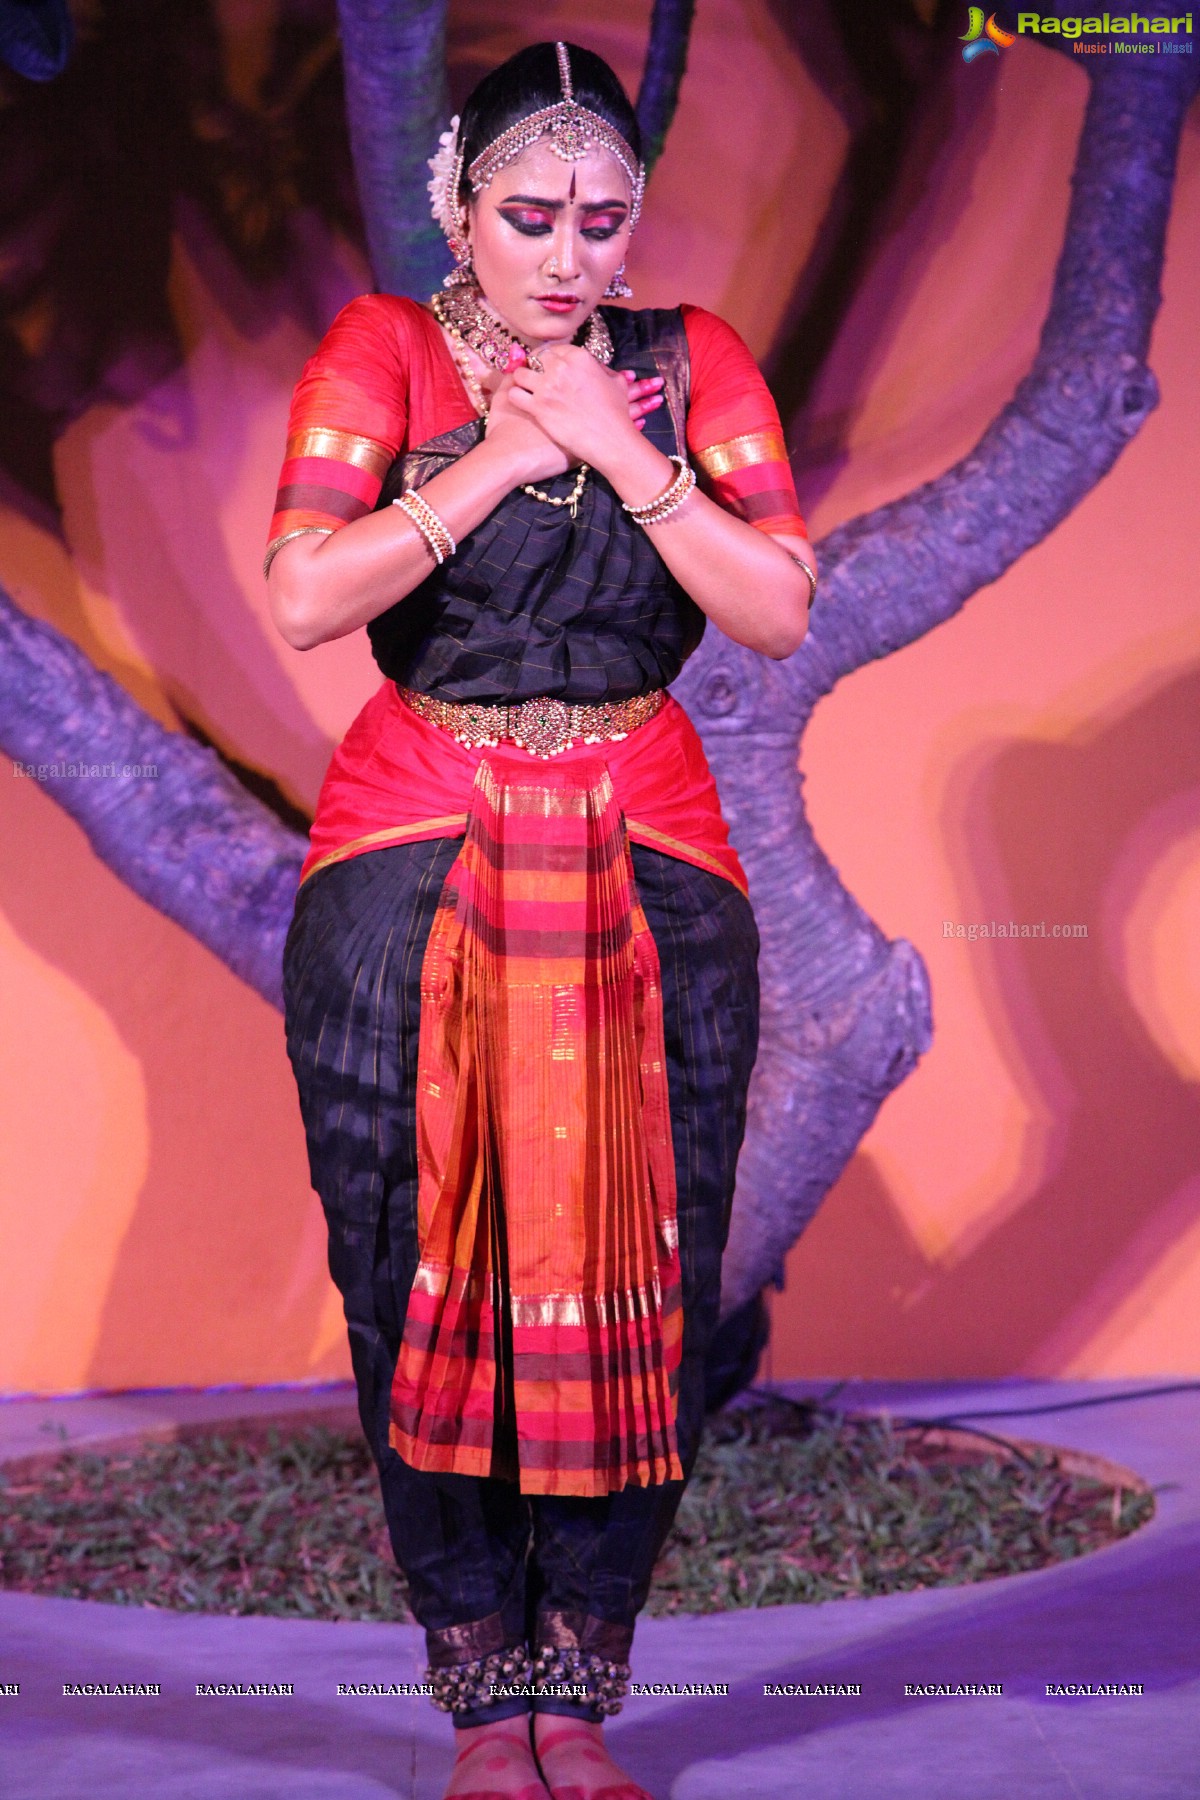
(548, 238)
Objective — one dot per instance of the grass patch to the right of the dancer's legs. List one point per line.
(794, 1506)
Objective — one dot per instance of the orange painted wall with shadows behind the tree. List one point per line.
(1035, 759)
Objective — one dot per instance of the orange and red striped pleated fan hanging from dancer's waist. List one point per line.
(544, 1329)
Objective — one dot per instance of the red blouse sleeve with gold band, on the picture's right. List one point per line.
(733, 429)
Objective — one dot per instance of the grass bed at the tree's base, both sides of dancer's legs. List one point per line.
(787, 1506)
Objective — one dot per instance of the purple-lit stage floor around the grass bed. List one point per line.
(1129, 1615)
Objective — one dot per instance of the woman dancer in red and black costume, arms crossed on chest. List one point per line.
(521, 980)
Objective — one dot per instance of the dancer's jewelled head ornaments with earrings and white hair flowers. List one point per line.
(571, 129)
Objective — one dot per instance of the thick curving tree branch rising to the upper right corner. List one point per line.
(899, 571)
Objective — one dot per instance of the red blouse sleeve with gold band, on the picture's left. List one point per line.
(348, 420)
